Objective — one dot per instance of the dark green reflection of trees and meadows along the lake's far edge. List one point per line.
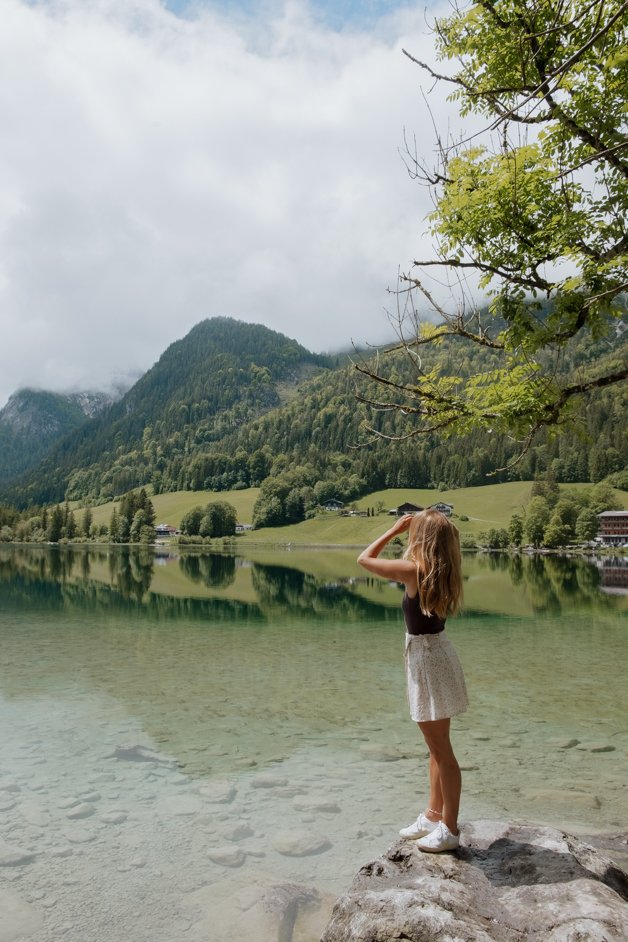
(223, 584)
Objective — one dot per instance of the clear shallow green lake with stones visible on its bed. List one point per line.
(208, 747)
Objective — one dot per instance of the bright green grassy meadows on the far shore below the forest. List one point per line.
(486, 507)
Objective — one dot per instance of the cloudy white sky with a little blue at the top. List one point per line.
(167, 162)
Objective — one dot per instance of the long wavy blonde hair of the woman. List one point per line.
(434, 547)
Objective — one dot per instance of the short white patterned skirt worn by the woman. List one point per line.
(436, 687)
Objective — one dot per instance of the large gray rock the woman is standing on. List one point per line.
(507, 883)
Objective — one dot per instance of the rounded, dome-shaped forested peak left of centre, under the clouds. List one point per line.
(222, 374)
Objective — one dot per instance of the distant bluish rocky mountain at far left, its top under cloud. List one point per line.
(34, 419)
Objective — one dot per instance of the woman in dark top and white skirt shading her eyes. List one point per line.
(431, 573)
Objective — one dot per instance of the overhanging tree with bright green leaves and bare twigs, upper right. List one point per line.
(531, 209)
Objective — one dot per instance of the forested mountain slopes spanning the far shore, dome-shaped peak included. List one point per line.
(233, 405)
